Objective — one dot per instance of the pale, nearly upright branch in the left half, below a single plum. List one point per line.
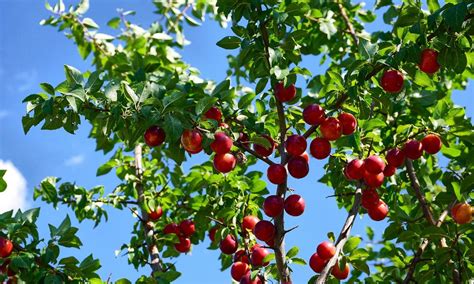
(147, 224)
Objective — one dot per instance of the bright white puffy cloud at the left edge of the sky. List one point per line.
(14, 196)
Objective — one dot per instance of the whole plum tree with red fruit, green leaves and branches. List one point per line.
(379, 114)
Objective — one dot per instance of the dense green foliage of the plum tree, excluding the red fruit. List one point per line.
(138, 79)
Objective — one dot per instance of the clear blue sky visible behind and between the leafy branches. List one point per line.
(31, 54)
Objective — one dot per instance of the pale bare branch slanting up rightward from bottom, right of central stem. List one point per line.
(343, 236)
